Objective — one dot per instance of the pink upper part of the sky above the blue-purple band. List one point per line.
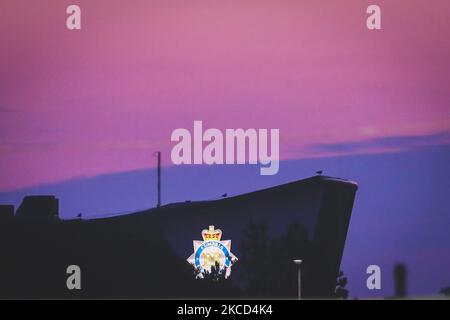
(103, 99)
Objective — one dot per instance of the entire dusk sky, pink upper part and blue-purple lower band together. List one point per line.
(78, 108)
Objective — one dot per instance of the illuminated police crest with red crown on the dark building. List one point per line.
(211, 251)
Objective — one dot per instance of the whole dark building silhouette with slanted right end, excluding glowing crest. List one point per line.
(143, 255)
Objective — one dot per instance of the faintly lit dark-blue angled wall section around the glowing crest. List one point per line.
(320, 205)
